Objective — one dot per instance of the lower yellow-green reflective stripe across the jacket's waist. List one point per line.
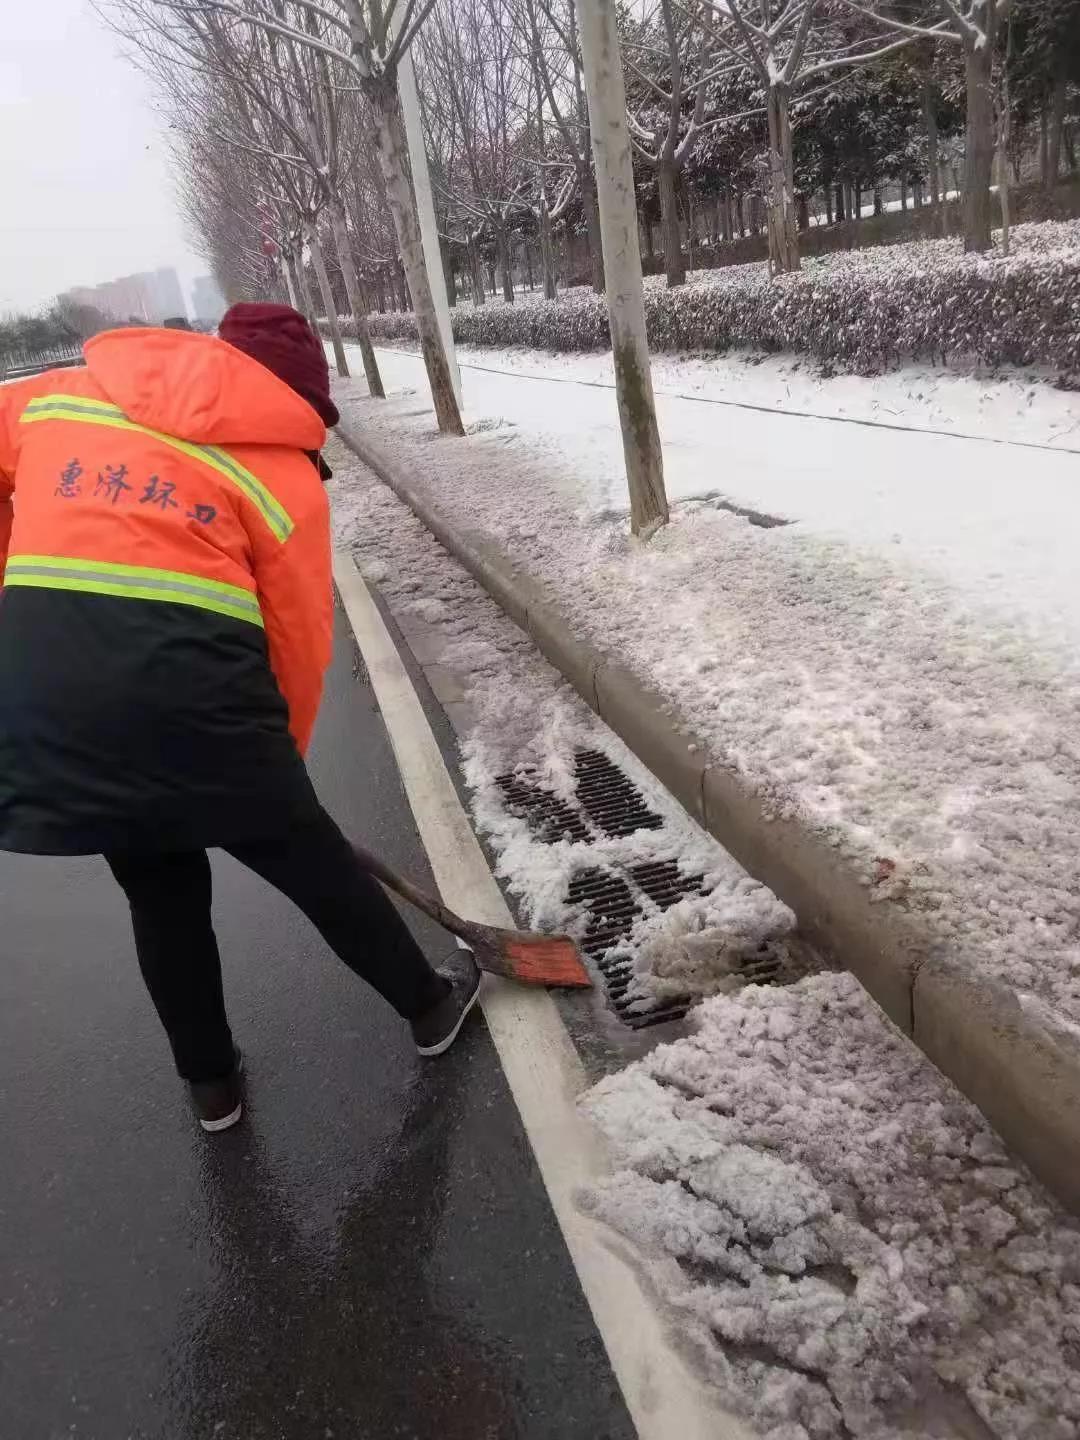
(135, 582)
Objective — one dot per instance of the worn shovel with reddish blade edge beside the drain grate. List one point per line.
(518, 955)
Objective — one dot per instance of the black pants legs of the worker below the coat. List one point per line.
(313, 865)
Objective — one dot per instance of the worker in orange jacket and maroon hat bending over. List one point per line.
(166, 623)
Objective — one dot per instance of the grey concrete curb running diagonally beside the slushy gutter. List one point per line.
(1023, 1075)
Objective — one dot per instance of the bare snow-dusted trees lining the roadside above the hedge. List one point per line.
(290, 136)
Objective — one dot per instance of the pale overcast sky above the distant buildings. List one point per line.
(87, 192)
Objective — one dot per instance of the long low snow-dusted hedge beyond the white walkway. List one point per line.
(863, 310)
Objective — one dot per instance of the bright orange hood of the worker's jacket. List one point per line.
(199, 390)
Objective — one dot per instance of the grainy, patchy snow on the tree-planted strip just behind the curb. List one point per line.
(892, 712)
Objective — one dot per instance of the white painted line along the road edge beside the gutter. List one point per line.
(665, 1398)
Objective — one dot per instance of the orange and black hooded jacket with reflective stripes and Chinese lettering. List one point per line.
(162, 522)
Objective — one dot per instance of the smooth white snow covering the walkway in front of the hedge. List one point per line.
(997, 522)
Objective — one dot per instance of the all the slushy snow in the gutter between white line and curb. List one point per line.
(834, 1232)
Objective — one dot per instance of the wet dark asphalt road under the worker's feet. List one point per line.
(369, 1255)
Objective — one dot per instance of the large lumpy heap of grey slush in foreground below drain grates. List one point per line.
(839, 1232)
